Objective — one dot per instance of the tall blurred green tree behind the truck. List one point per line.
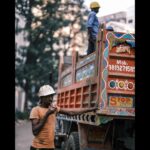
(37, 63)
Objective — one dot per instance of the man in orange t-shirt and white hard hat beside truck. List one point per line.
(43, 118)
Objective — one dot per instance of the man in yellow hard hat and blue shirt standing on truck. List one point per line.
(93, 27)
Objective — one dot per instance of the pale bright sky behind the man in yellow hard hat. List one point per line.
(111, 6)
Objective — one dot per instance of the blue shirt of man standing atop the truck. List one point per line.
(93, 23)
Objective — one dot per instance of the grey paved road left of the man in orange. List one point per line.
(23, 135)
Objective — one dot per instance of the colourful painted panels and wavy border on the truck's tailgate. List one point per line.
(118, 66)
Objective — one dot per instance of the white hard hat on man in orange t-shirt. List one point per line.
(46, 90)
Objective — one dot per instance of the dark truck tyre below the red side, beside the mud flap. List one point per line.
(73, 142)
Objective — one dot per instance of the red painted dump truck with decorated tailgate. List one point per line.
(106, 79)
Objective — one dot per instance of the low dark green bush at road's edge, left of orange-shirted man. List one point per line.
(21, 115)
